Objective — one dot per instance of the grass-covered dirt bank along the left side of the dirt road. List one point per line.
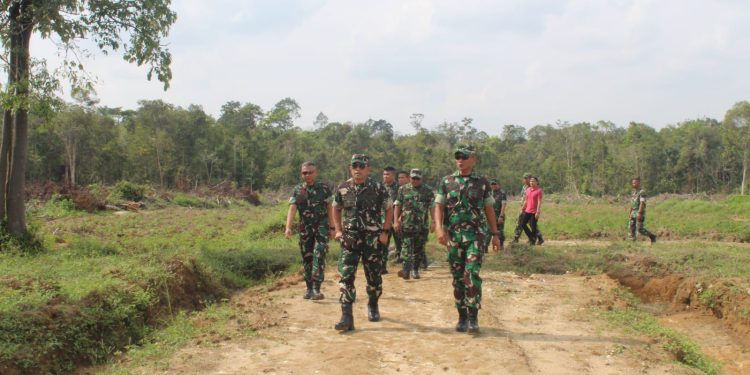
(90, 329)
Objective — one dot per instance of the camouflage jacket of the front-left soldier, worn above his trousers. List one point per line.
(362, 206)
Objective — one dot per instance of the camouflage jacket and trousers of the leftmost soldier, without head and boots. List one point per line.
(312, 204)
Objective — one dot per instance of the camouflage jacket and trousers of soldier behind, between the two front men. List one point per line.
(415, 202)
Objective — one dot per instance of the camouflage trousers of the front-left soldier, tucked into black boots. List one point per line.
(353, 247)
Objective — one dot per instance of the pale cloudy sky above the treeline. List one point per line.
(520, 62)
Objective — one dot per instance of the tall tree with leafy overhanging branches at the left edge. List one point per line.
(146, 22)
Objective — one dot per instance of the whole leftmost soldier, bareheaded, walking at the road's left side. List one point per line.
(313, 200)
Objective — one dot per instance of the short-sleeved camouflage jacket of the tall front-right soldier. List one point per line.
(464, 199)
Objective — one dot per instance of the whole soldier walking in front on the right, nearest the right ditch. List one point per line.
(460, 199)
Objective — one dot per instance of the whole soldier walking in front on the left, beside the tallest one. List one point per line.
(358, 208)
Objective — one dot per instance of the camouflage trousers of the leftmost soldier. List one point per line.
(313, 244)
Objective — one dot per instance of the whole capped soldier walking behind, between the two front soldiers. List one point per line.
(413, 203)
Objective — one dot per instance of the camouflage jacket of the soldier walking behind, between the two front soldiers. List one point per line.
(415, 203)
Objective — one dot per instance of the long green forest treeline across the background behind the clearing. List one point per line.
(169, 146)
